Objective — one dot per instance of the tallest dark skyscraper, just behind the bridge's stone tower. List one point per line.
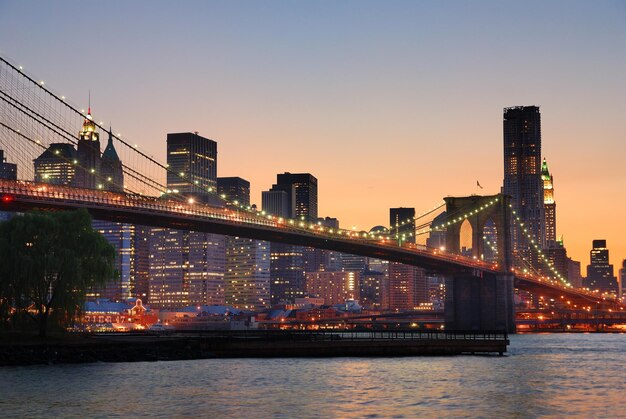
(522, 176)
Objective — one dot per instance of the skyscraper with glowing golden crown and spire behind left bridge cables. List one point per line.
(88, 155)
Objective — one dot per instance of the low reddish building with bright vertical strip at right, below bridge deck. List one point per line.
(333, 287)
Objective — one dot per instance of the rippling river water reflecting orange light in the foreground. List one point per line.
(557, 375)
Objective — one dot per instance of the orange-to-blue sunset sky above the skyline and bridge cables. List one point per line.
(386, 103)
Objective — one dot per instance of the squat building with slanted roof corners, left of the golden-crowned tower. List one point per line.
(56, 165)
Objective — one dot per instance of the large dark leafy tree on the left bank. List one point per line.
(48, 262)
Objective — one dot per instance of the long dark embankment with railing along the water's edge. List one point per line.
(262, 344)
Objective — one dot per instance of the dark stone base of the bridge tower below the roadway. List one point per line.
(480, 301)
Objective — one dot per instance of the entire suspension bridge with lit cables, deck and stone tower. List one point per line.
(33, 118)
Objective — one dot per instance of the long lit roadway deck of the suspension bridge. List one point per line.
(158, 212)
